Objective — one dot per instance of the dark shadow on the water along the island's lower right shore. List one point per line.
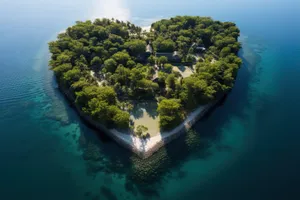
(196, 143)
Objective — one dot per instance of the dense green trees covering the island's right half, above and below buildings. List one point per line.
(215, 74)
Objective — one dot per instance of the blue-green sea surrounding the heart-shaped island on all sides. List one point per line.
(247, 148)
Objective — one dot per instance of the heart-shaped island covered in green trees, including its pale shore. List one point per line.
(145, 88)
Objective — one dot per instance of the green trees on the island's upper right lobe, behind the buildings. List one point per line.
(183, 31)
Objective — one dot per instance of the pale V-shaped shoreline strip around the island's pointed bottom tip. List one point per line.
(144, 148)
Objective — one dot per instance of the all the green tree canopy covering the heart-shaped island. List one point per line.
(118, 48)
